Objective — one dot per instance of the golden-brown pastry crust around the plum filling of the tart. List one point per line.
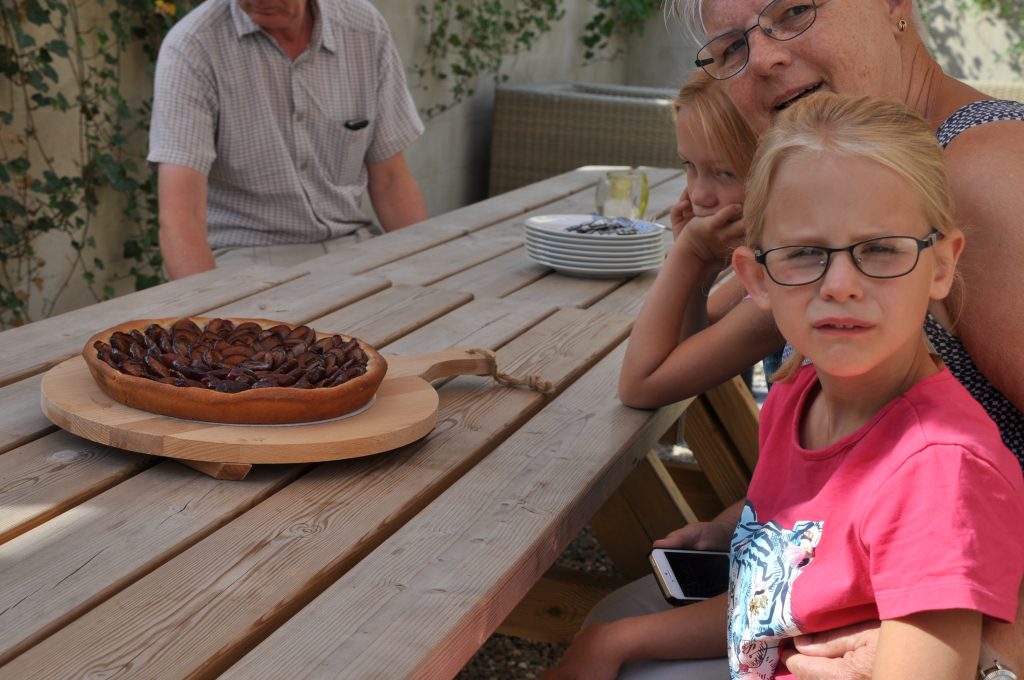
(267, 406)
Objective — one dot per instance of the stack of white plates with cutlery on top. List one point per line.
(595, 246)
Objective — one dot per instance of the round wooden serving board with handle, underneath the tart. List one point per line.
(404, 410)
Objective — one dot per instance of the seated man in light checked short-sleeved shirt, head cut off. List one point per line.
(271, 119)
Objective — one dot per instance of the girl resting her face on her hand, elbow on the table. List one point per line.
(675, 352)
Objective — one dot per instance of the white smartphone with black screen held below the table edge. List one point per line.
(691, 576)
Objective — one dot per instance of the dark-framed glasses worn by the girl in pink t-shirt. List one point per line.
(884, 258)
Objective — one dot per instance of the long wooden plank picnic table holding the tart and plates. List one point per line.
(119, 565)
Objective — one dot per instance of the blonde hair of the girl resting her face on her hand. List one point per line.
(721, 122)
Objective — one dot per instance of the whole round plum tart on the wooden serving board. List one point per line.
(234, 370)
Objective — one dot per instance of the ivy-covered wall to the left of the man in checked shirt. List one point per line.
(62, 65)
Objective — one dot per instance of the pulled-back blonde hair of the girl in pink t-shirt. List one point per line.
(886, 133)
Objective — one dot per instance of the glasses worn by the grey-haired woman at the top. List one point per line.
(726, 56)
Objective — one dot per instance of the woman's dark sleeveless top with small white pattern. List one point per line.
(1006, 415)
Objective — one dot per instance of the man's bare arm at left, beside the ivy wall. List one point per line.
(183, 221)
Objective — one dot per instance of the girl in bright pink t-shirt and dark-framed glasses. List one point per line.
(883, 491)
